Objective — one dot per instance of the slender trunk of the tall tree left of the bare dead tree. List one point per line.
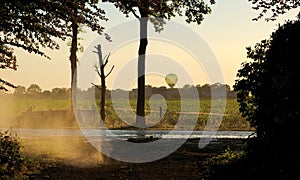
(73, 59)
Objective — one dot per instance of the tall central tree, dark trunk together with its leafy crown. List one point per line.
(155, 11)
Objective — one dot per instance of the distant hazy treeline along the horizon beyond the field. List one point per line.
(188, 91)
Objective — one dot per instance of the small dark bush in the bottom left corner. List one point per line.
(10, 157)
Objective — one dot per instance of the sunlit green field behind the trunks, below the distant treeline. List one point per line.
(118, 112)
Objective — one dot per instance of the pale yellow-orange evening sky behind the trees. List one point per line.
(221, 38)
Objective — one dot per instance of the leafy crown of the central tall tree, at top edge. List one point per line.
(193, 10)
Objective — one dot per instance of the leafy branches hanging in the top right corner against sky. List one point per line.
(277, 7)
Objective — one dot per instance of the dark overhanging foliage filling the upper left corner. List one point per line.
(35, 24)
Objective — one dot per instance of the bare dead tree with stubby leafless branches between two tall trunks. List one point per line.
(101, 73)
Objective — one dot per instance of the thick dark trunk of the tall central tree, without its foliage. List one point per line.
(140, 107)
